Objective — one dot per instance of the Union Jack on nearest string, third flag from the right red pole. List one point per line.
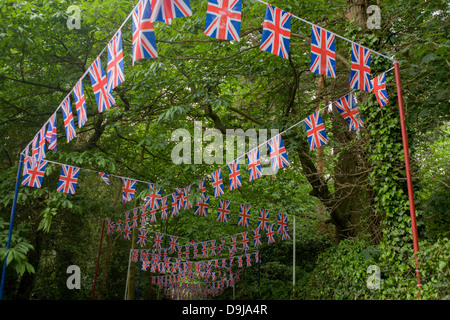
(323, 52)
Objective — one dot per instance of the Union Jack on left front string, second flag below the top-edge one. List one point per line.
(103, 94)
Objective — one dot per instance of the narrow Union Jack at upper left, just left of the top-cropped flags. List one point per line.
(144, 43)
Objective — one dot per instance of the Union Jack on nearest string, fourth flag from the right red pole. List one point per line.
(276, 33)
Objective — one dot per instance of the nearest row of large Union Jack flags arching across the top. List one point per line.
(223, 21)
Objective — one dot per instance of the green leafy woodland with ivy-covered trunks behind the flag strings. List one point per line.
(349, 197)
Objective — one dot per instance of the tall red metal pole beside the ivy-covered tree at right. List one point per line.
(412, 209)
